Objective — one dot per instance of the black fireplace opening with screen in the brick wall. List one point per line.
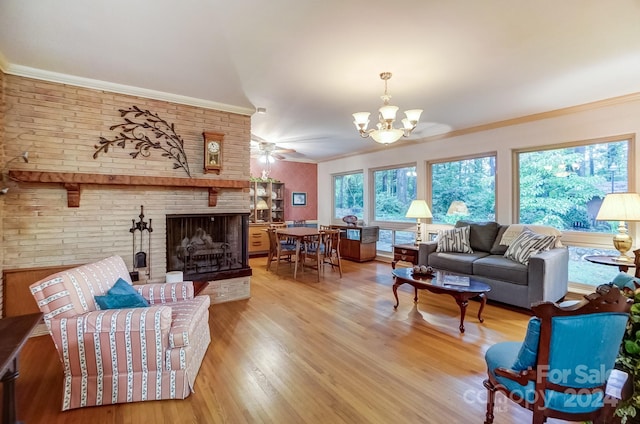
(208, 246)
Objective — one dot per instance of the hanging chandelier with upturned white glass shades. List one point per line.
(384, 132)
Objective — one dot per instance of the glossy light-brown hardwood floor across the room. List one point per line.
(307, 352)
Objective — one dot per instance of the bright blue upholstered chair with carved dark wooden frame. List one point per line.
(561, 368)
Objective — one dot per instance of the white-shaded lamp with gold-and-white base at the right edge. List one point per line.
(621, 207)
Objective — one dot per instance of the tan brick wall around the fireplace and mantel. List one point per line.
(60, 125)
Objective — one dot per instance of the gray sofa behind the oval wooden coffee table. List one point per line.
(545, 278)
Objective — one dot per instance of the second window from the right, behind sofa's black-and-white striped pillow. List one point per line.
(463, 189)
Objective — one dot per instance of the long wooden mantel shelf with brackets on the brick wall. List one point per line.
(72, 182)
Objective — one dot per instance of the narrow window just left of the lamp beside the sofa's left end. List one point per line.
(393, 191)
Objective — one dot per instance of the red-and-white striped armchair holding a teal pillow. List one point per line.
(123, 355)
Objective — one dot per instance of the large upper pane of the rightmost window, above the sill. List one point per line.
(564, 186)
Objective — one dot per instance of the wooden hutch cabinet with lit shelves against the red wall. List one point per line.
(266, 207)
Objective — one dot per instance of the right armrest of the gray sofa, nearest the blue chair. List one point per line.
(549, 275)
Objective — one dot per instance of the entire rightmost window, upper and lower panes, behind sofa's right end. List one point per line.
(563, 186)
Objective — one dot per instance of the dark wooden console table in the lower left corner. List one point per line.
(14, 333)
